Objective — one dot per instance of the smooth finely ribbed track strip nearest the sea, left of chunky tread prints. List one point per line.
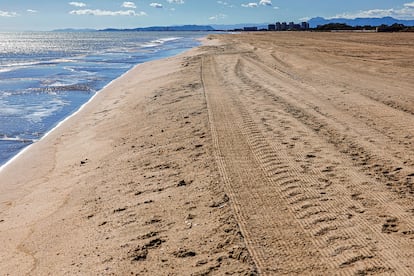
(274, 240)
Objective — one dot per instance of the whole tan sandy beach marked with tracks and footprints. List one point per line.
(261, 153)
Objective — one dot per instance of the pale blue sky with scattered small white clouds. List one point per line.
(53, 14)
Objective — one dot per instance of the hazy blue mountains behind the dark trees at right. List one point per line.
(314, 22)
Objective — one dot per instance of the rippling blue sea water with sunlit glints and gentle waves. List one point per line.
(46, 76)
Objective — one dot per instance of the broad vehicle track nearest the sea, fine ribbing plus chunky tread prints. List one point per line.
(289, 225)
